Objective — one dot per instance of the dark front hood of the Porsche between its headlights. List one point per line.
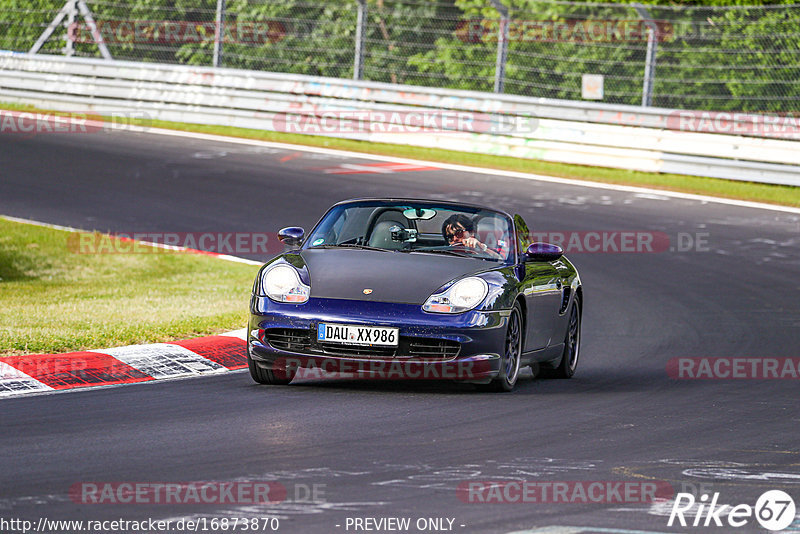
(392, 276)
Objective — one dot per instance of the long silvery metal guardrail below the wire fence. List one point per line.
(750, 147)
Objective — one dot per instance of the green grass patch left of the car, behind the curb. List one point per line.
(56, 300)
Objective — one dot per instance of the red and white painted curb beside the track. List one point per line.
(48, 373)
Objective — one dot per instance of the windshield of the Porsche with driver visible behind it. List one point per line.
(415, 227)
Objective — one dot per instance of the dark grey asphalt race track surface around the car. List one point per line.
(380, 449)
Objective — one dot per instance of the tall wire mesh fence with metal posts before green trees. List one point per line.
(742, 58)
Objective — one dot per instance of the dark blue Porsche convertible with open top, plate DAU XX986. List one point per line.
(415, 289)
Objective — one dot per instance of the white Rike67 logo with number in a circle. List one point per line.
(774, 510)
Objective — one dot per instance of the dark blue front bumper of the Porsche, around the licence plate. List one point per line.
(478, 335)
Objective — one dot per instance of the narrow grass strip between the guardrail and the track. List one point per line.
(772, 194)
